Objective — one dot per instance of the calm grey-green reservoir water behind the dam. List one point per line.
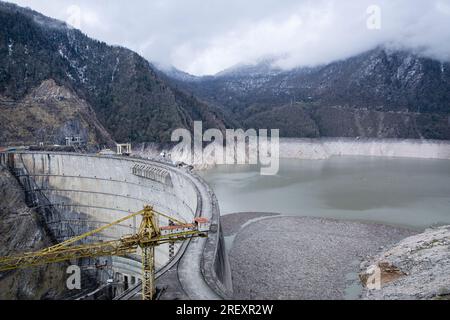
(398, 191)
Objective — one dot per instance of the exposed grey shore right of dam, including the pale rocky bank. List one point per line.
(282, 257)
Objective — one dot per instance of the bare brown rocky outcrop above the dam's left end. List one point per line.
(48, 114)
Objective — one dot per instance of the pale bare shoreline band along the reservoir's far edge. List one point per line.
(309, 149)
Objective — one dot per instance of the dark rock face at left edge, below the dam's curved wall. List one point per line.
(20, 232)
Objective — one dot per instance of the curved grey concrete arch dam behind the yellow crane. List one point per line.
(75, 193)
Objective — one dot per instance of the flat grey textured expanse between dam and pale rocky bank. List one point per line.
(284, 257)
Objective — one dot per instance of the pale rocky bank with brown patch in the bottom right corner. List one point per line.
(417, 268)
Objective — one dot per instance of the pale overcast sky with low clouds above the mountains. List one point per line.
(207, 36)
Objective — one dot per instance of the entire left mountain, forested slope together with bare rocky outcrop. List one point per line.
(128, 97)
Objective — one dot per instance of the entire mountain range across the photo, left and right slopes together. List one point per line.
(381, 93)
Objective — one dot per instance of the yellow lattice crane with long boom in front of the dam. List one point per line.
(147, 238)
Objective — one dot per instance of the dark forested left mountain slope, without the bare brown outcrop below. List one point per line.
(130, 100)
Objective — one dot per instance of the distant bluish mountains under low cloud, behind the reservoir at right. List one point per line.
(378, 94)
